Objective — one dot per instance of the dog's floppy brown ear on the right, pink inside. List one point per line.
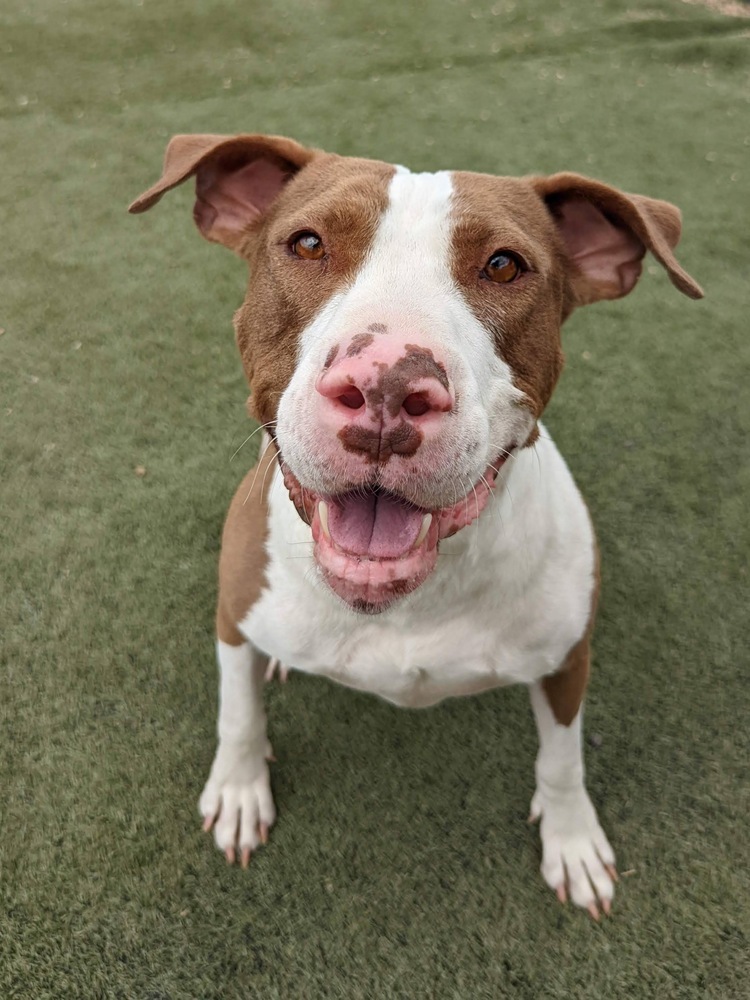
(606, 234)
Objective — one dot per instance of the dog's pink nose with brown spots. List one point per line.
(382, 396)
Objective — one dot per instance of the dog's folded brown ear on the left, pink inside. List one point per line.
(236, 179)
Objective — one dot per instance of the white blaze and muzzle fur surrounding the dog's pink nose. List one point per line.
(406, 284)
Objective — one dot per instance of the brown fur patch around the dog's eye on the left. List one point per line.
(340, 198)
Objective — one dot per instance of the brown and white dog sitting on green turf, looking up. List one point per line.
(401, 334)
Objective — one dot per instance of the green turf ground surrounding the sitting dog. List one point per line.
(401, 865)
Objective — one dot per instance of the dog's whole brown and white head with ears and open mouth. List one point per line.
(401, 332)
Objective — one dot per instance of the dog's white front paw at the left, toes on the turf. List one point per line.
(237, 802)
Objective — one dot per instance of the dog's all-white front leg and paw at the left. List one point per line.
(237, 800)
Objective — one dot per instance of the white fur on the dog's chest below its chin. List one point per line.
(509, 597)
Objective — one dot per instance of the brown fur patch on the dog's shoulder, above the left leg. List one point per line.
(242, 565)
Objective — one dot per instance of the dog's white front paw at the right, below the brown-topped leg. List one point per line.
(577, 860)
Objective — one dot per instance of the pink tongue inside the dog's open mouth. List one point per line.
(377, 526)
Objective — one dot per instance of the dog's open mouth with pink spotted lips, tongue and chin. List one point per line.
(373, 546)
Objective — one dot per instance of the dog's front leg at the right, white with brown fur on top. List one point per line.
(576, 856)
